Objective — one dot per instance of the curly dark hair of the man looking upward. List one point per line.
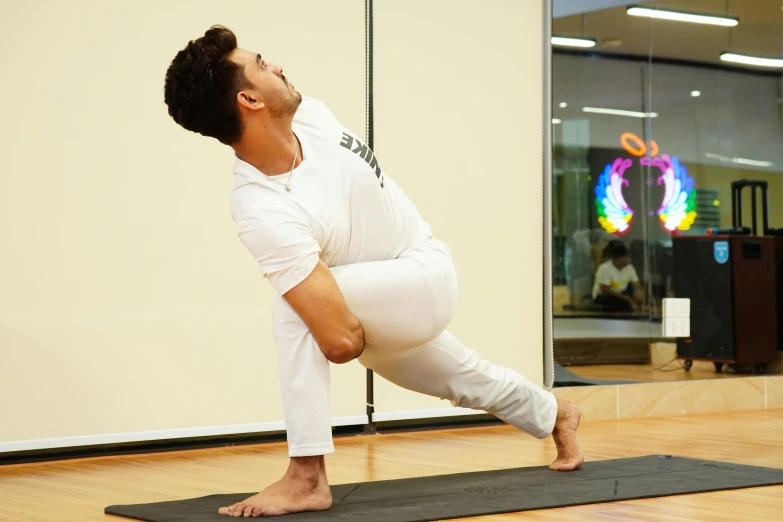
(202, 84)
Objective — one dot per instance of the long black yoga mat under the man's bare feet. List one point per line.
(491, 492)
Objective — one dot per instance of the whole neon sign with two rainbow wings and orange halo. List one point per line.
(678, 208)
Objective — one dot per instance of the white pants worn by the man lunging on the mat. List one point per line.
(404, 306)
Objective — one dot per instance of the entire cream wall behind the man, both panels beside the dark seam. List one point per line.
(128, 305)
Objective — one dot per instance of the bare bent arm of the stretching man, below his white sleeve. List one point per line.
(322, 307)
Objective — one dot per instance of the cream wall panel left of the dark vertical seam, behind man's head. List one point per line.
(127, 303)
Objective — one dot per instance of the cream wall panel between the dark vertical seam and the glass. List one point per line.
(458, 124)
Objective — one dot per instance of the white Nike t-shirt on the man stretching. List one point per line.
(342, 208)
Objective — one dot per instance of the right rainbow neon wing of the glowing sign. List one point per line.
(678, 209)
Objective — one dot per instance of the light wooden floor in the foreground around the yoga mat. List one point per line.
(78, 490)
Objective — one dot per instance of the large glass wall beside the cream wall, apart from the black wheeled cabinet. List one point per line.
(655, 116)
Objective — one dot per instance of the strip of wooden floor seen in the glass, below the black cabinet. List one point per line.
(649, 373)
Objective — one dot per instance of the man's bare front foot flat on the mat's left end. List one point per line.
(294, 493)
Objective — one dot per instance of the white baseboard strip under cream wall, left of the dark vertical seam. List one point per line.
(149, 436)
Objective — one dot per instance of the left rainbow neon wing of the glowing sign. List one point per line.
(614, 214)
